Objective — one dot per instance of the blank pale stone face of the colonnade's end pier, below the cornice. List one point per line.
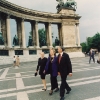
(68, 32)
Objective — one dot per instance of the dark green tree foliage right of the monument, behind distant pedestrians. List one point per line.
(92, 42)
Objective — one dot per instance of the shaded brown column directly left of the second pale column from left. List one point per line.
(19, 31)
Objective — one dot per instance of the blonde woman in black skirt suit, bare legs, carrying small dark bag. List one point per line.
(41, 65)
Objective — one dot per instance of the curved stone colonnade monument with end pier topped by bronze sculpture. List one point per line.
(68, 30)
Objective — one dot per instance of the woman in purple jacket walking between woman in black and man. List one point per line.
(52, 67)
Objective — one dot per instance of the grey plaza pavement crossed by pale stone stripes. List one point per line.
(20, 83)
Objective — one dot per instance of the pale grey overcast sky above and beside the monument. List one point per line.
(88, 9)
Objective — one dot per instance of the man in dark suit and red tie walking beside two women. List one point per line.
(64, 69)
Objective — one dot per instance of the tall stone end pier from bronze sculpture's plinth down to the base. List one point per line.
(68, 28)
